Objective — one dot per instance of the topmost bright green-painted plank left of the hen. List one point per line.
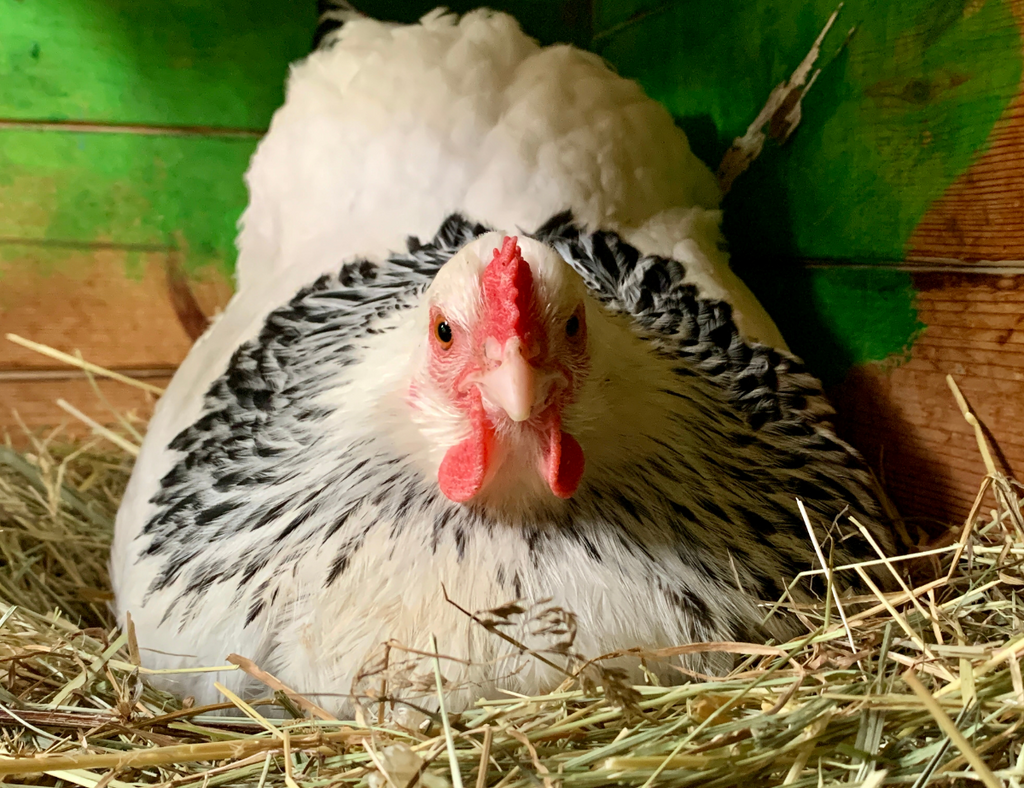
(187, 63)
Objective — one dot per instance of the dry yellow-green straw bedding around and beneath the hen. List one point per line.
(919, 687)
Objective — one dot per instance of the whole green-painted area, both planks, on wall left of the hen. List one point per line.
(177, 63)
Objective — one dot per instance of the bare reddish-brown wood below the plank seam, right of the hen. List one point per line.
(904, 418)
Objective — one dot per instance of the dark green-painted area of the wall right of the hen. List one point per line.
(893, 119)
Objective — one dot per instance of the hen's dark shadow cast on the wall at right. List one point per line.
(840, 318)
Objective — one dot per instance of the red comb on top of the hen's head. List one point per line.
(508, 293)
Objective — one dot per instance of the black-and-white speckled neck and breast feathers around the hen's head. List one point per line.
(306, 534)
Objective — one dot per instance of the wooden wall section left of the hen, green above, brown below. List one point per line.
(125, 128)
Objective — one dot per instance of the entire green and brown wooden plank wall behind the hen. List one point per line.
(885, 237)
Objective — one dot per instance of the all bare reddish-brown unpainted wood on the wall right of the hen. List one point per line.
(902, 415)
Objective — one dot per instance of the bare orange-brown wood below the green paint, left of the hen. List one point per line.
(79, 298)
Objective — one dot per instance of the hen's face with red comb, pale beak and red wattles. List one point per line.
(507, 352)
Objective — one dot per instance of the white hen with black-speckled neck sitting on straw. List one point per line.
(485, 345)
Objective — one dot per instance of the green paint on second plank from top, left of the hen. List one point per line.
(185, 193)
